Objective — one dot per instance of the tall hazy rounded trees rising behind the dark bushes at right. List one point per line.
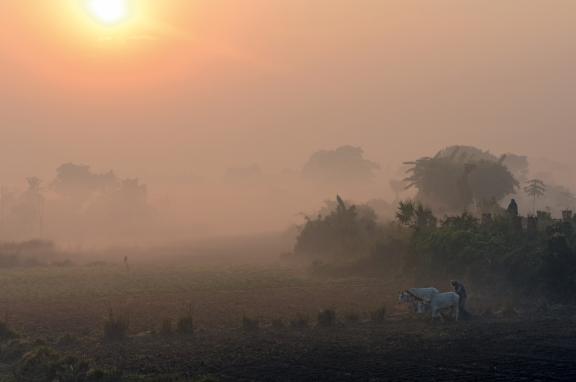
(462, 178)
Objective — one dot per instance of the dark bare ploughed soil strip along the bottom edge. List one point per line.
(515, 350)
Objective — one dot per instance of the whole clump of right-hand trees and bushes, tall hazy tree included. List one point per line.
(458, 225)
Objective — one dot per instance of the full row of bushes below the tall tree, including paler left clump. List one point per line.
(499, 251)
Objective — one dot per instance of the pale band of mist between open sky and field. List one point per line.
(81, 206)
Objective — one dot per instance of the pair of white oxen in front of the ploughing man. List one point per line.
(438, 302)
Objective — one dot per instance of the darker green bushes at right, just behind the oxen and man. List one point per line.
(497, 252)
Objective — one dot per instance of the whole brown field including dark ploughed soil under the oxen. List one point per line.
(66, 309)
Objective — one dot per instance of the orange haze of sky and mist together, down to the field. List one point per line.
(218, 107)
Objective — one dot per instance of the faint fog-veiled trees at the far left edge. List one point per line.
(77, 203)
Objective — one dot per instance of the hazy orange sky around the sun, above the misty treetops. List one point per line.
(196, 86)
